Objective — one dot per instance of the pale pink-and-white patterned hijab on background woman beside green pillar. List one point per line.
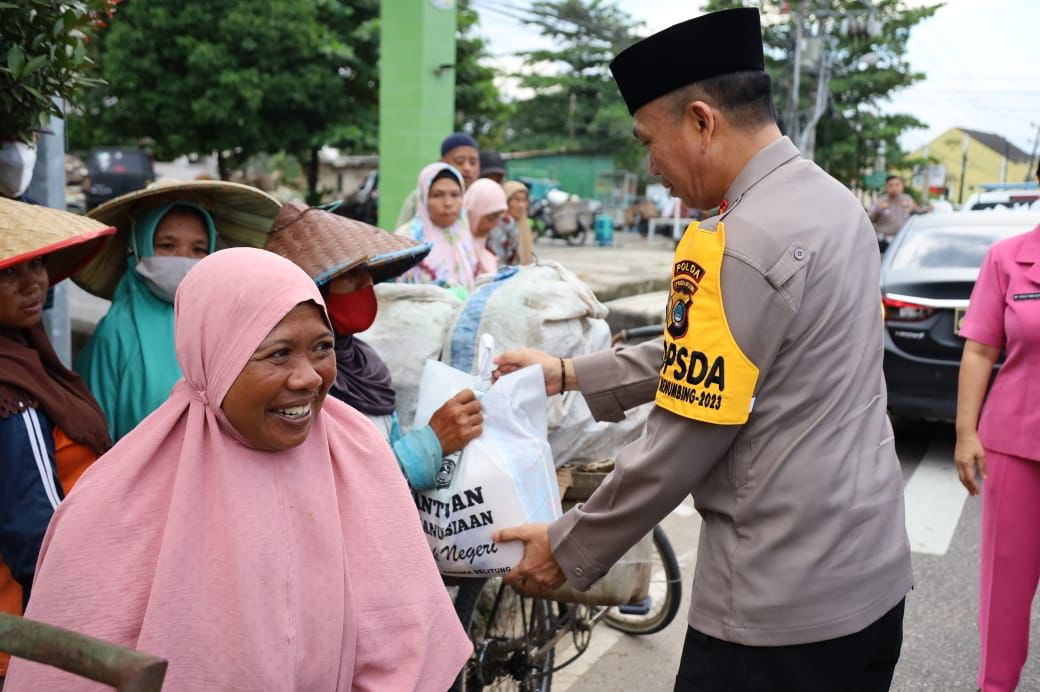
(454, 261)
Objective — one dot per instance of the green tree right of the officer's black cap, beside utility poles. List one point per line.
(865, 72)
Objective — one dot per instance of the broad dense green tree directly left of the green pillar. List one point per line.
(238, 78)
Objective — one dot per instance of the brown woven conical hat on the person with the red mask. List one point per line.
(327, 245)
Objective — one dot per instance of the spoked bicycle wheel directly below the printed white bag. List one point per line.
(507, 631)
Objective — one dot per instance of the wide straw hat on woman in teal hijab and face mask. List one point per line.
(243, 216)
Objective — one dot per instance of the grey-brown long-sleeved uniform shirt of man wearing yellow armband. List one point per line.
(803, 536)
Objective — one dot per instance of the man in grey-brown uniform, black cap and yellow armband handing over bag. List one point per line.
(769, 389)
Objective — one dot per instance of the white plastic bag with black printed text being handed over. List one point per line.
(503, 479)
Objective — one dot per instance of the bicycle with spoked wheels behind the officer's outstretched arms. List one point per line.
(515, 637)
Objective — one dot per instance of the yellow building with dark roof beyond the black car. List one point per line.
(980, 158)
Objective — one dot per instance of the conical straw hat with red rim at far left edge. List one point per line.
(69, 242)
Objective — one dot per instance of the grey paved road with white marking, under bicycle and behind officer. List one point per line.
(941, 645)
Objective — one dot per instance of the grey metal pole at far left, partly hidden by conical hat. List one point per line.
(48, 189)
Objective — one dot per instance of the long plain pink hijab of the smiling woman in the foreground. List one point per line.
(304, 570)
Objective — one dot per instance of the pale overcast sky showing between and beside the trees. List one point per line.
(979, 58)
